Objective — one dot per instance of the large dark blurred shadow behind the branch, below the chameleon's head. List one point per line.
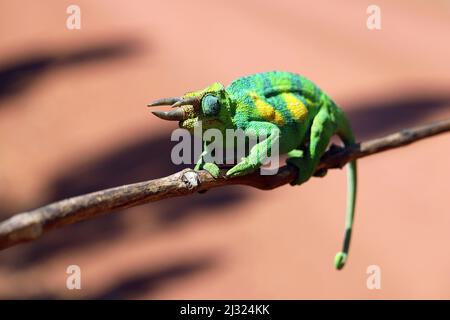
(142, 160)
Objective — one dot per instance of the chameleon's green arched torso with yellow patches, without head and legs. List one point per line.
(285, 99)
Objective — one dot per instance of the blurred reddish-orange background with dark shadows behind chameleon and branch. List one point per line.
(73, 120)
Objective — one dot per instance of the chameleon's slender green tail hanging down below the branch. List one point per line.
(346, 135)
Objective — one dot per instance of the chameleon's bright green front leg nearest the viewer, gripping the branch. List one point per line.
(260, 151)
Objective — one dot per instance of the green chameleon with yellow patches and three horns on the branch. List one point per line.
(287, 109)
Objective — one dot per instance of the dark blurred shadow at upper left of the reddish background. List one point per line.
(18, 74)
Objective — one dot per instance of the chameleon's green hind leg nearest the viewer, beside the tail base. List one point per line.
(322, 130)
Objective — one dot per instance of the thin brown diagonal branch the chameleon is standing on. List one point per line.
(33, 224)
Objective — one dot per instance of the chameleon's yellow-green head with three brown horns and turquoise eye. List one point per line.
(210, 108)
